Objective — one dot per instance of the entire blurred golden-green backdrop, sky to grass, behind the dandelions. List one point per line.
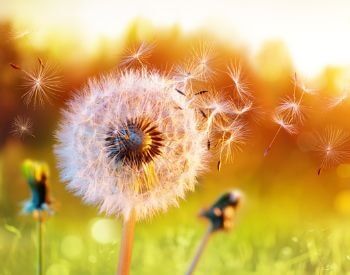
(291, 221)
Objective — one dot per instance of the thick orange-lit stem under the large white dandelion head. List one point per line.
(126, 244)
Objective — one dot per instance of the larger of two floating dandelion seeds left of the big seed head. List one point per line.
(40, 84)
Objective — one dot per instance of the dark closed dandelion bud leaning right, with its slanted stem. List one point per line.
(221, 217)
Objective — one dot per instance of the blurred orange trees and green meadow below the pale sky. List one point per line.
(291, 221)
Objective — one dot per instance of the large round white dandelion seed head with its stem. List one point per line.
(126, 146)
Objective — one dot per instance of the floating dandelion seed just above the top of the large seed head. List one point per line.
(137, 55)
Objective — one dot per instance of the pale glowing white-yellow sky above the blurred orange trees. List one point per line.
(316, 32)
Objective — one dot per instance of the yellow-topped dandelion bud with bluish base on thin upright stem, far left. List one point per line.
(36, 174)
